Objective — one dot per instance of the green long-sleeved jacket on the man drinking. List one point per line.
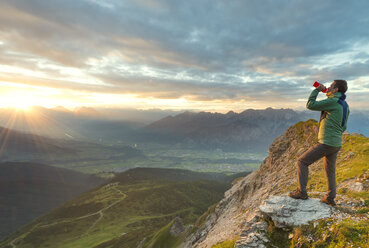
(333, 119)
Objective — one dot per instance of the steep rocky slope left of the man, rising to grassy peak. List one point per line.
(240, 203)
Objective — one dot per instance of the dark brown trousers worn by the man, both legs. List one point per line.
(329, 154)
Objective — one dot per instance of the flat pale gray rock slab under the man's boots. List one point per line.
(286, 211)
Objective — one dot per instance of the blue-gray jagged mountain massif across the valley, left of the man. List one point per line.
(250, 130)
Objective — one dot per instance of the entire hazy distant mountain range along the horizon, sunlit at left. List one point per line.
(248, 131)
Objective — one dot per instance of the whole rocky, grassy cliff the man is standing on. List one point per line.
(240, 219)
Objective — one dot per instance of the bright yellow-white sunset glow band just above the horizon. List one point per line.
(24, 97)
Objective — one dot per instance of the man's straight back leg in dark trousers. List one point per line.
(330, 172)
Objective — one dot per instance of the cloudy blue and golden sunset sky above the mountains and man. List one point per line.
(205, 55)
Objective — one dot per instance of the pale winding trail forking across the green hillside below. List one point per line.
(100, 213)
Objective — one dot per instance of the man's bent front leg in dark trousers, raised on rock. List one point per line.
(310, 156)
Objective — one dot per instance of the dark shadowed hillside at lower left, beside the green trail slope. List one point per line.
(29, 190)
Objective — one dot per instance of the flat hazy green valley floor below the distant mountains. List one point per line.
(89, 157)
